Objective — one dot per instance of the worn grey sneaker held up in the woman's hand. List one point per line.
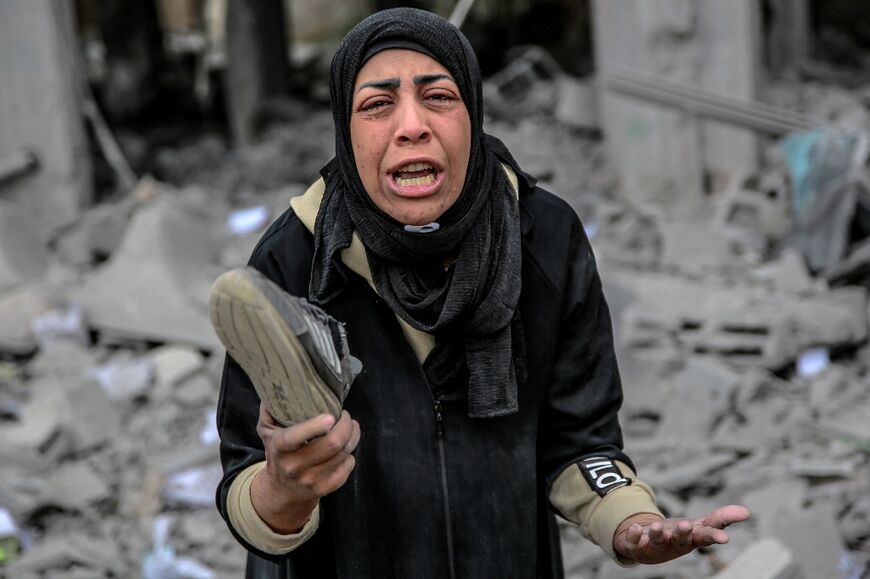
(295, 354)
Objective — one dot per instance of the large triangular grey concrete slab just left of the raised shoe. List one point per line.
(156, 285)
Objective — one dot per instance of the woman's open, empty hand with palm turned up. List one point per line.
(649, 539)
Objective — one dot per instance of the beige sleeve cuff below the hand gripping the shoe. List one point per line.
(248, 524)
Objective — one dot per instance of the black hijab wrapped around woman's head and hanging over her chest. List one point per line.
(470, 307)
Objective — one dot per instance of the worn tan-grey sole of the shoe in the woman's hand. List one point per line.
(257, 336)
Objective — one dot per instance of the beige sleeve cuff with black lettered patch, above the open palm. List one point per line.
(597, 517)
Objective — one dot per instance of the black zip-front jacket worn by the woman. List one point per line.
(436, 494)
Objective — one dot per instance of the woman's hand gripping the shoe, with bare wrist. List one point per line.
(304, 462)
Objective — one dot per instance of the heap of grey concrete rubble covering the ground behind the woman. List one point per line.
(745, 369)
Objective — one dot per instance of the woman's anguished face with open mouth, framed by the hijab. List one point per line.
(411, 135)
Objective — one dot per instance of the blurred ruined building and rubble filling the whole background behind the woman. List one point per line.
(717, 153)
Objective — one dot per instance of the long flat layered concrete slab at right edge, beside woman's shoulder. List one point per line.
(749, 325)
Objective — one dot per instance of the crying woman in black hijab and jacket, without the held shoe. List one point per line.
(490, 391)
